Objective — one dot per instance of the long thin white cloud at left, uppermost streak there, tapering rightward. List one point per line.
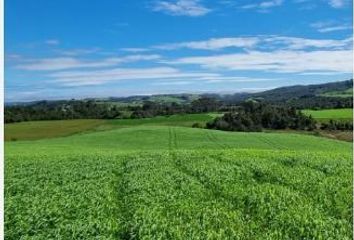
(60, 63)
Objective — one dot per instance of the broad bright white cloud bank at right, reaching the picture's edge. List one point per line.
(288, 61)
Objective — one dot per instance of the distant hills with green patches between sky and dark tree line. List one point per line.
(327, 95)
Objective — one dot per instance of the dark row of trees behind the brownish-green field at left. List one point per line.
(99, 110)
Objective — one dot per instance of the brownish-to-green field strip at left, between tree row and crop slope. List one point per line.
(50, 129)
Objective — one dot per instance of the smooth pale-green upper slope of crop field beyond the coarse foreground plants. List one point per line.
(156, 138)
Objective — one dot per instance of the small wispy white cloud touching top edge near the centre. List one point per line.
(191, 8)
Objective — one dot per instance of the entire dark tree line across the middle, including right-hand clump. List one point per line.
(250, 115)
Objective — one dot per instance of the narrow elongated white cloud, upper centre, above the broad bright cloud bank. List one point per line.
(213, 44)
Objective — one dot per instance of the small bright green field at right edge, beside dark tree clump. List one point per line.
(336, 114)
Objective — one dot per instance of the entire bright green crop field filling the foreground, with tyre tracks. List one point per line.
(166, 182)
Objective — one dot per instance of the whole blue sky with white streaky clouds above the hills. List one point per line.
(63, 49)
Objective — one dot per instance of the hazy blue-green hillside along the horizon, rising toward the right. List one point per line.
(340, 89)
